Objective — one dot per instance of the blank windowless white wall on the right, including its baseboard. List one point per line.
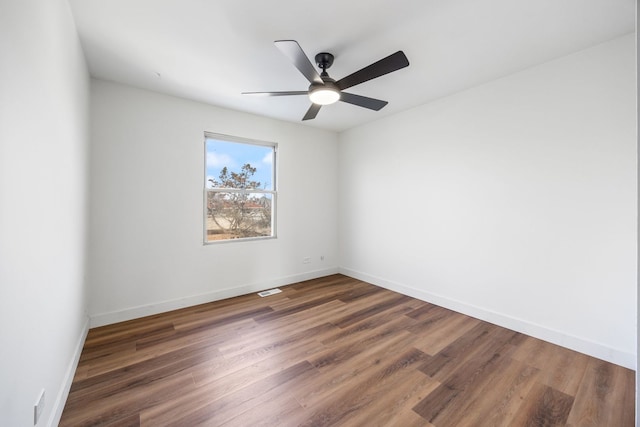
(514, 202)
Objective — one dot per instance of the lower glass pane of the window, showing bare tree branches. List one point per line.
(235, 215)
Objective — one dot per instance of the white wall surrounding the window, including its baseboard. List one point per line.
(147, 171)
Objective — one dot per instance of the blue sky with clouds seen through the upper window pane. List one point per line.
(234, 155)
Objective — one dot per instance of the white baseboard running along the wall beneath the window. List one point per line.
(164, 306)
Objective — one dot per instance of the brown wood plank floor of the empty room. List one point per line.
(337, 351)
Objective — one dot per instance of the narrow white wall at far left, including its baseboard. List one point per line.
(44, 94)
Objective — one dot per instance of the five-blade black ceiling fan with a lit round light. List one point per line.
(323, 89)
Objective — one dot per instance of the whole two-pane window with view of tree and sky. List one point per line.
(240, 188)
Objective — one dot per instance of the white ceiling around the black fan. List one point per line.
(212, 50)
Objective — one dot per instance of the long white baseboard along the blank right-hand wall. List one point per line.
(578, 344)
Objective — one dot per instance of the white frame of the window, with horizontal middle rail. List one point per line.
(273, 192)
